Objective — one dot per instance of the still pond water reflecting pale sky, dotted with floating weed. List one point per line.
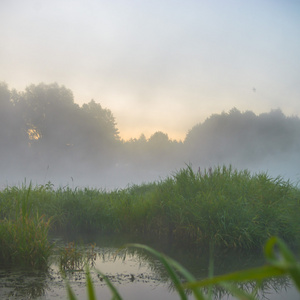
(135, 273)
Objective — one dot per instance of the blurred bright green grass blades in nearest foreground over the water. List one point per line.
(280, 262)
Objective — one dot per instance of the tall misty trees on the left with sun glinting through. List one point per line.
(55, 130)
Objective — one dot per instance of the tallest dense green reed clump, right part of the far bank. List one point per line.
(232, 208)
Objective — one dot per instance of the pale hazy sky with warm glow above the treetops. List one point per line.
(160, 64)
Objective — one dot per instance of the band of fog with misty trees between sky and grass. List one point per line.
(45, 137)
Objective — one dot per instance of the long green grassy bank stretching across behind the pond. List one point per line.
(232, 208)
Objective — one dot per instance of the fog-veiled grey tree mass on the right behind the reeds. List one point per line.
(239, 138)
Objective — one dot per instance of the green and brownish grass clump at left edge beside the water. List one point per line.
(23, 231)
